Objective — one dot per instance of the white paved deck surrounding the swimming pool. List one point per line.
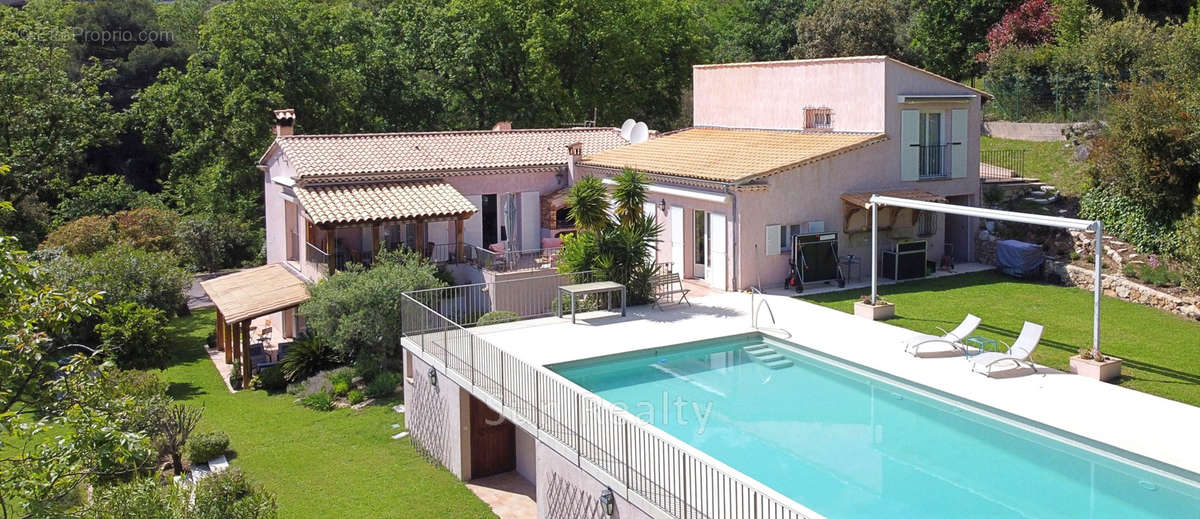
(1137, 422)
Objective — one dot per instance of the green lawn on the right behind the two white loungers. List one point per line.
(1161, 351)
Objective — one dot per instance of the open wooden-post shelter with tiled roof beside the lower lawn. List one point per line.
(248, 295)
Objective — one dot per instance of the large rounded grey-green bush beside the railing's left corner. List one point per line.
(356, 311)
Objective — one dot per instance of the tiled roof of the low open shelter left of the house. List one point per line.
(256, 293)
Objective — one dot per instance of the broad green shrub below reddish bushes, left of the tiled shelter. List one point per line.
(125, 275)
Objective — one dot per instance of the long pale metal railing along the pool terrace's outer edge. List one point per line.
(649, 463)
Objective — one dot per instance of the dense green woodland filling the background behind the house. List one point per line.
(119, 105)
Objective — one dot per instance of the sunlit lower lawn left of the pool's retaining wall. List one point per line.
(320, 466)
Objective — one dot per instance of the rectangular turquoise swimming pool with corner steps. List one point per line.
(849, 443)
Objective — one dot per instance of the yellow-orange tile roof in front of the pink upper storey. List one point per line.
(730, 156)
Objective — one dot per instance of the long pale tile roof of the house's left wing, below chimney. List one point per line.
(327, 156)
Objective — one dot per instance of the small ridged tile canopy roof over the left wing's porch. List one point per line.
(349, 204)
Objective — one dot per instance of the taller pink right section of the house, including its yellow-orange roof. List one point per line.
(789, 148)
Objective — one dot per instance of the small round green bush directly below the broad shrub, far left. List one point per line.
(134, 335)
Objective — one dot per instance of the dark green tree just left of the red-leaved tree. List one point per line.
(947, 34)
